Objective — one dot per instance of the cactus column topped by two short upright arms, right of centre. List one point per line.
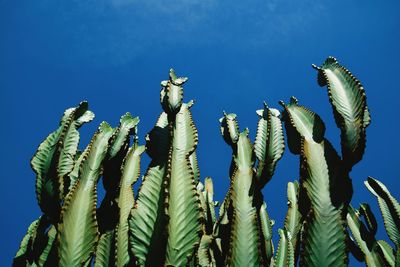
(249, 233)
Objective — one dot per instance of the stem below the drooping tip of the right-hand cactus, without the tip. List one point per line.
(324, 242)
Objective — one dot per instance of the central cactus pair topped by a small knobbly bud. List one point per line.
(168, 207)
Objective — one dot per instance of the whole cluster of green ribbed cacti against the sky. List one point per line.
(172, 221)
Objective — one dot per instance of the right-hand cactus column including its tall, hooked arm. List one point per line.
(324, 175)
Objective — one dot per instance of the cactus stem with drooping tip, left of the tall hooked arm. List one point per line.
(324, 232)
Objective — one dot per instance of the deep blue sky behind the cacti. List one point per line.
(53, 54)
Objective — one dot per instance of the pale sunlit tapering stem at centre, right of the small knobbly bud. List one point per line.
(183, 207)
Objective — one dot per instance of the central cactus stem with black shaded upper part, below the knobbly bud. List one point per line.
(146, 223)
